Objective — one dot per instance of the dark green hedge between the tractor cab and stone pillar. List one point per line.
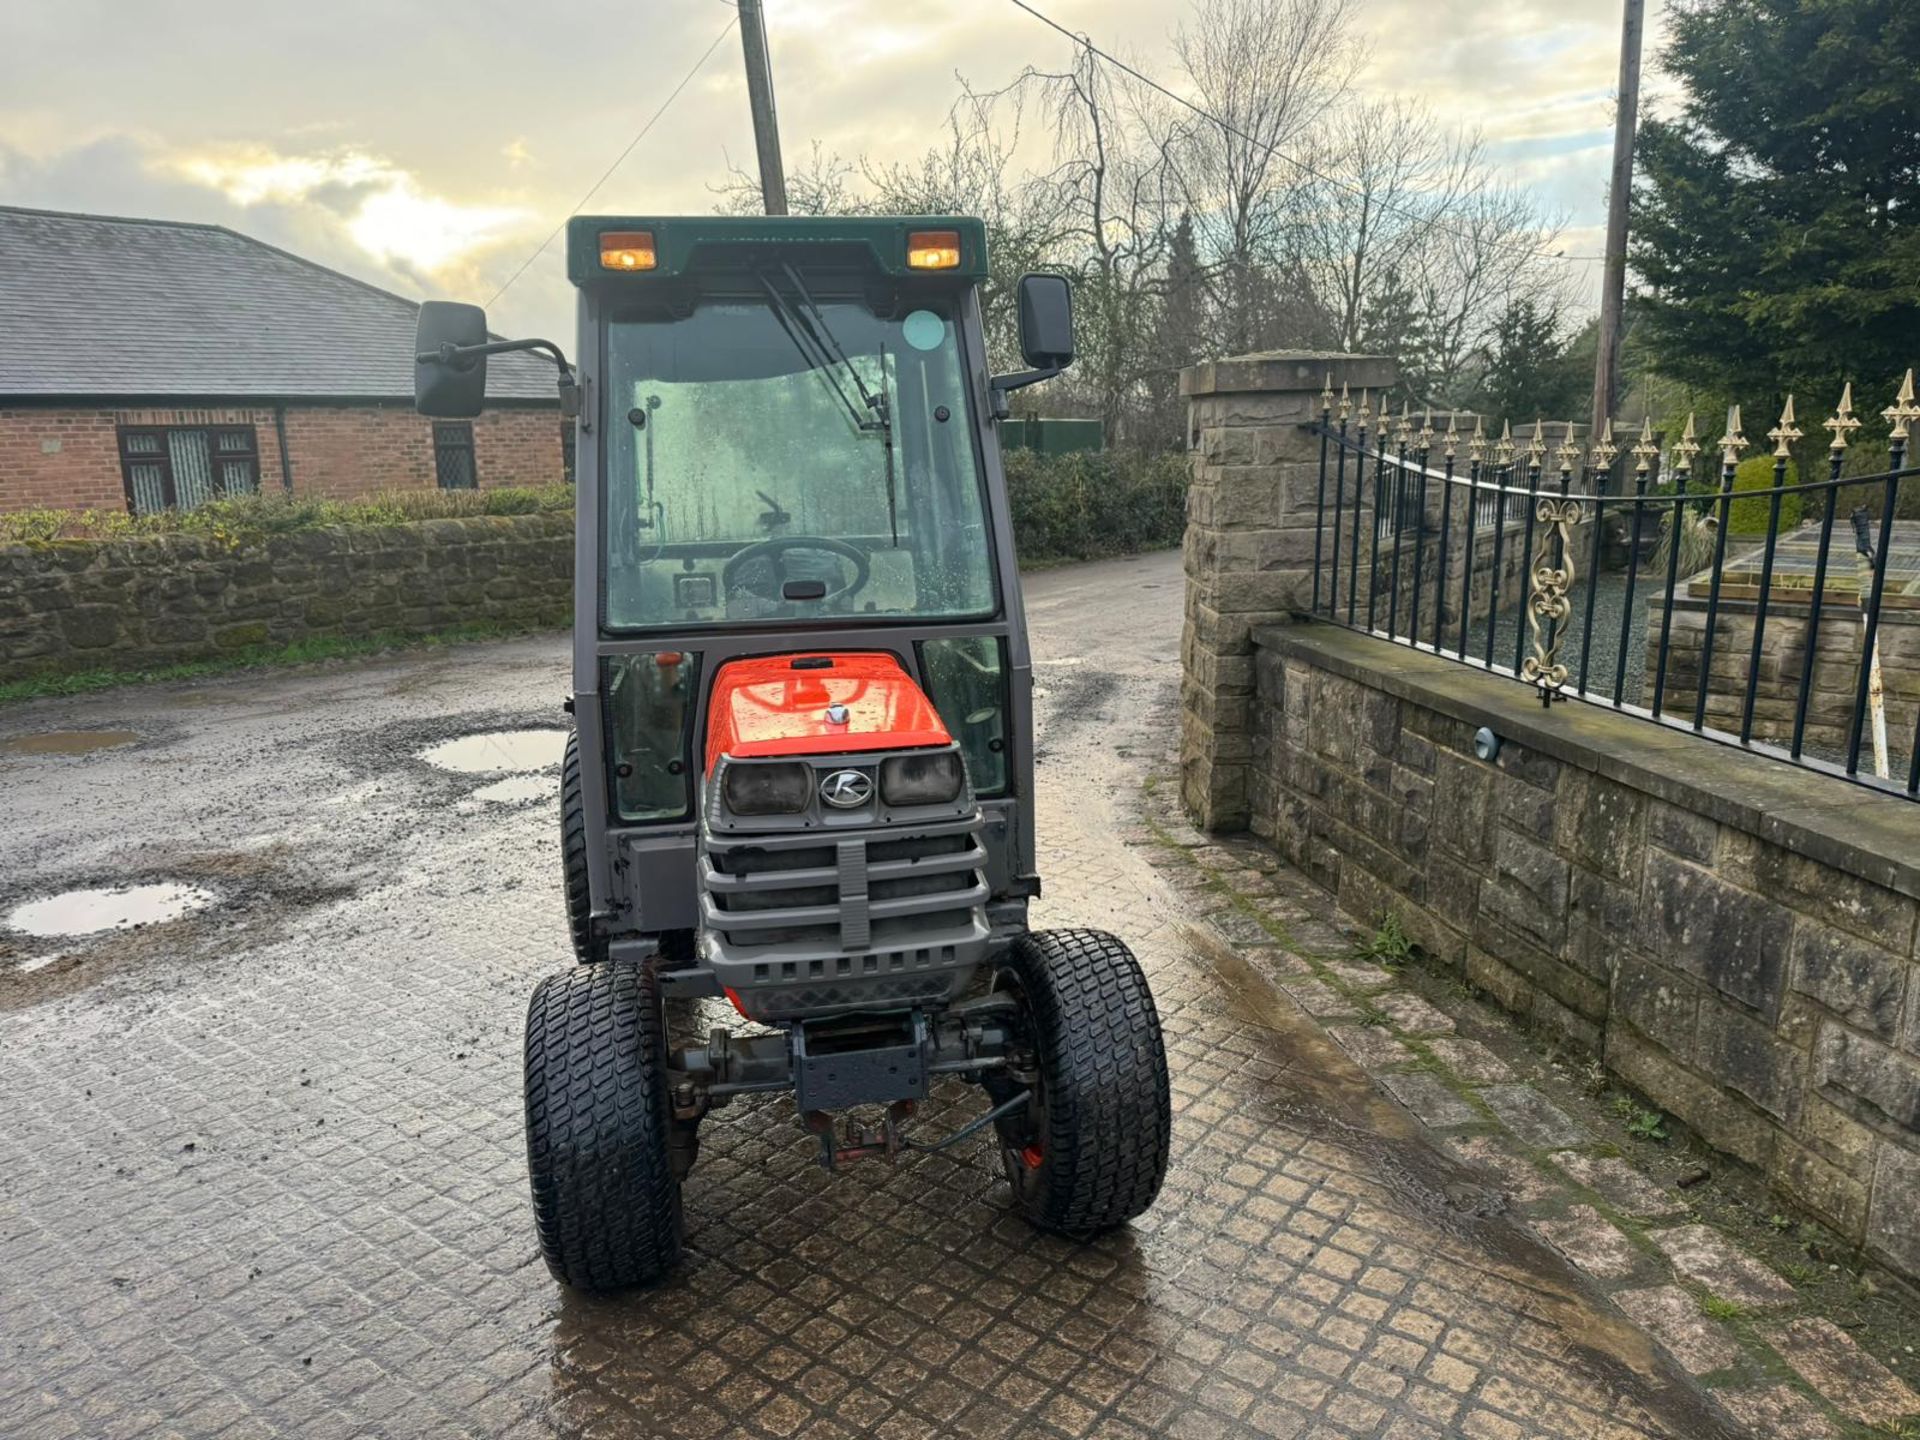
(1086, 506)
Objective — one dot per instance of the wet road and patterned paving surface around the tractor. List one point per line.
(264, 1168)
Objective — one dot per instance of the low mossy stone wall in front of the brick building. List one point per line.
(162, 600)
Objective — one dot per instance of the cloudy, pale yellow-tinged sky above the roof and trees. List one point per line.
(431, 149)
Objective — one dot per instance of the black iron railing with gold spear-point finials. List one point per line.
(1746, 615)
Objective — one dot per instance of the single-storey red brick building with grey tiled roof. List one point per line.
(149, 364)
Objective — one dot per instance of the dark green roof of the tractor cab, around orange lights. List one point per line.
(681, 243)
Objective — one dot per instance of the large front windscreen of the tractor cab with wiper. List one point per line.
(775, 460)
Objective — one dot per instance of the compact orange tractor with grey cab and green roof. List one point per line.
(802, 765)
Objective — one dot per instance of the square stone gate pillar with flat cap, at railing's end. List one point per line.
(1249, 548)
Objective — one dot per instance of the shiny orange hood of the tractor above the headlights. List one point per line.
(779, 706)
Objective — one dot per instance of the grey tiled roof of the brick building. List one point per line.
(99, 306)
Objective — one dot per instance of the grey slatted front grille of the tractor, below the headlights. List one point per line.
(846, 905)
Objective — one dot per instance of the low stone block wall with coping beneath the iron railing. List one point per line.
(1737, 938)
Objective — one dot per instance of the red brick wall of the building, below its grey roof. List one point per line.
(68, 458)
